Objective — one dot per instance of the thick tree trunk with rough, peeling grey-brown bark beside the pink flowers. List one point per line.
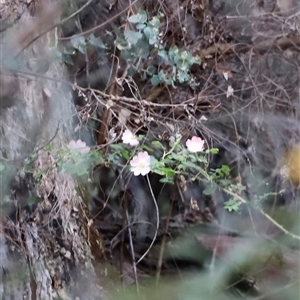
(48, 247)
